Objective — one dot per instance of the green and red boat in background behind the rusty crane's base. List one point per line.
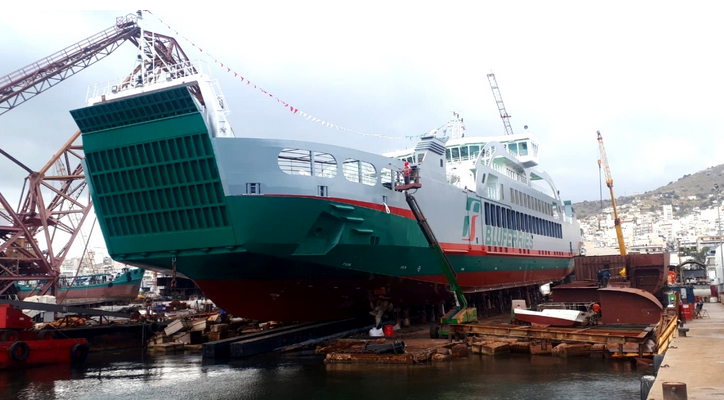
(93, 289)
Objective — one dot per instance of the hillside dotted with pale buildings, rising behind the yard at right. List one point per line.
(687, 192)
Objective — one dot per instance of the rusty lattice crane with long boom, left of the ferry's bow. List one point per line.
(35, 236)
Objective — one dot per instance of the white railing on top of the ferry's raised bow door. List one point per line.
(147, 79)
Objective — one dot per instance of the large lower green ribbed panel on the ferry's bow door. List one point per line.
(158, 187)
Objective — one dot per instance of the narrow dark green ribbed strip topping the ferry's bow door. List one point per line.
(153, 106)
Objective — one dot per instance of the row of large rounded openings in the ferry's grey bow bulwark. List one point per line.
(324, 165)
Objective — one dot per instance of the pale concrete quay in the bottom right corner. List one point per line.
(697, 359)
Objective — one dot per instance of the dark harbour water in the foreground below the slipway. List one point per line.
(304, 375)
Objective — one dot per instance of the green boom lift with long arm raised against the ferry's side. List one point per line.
(461, 314)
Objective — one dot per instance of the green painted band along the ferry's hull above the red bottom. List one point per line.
(311, 231)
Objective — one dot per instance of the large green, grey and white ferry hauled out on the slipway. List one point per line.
(299, 231)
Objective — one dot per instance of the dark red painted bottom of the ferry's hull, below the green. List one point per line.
(328, 299)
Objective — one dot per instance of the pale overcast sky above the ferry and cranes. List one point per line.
(646, 74)
